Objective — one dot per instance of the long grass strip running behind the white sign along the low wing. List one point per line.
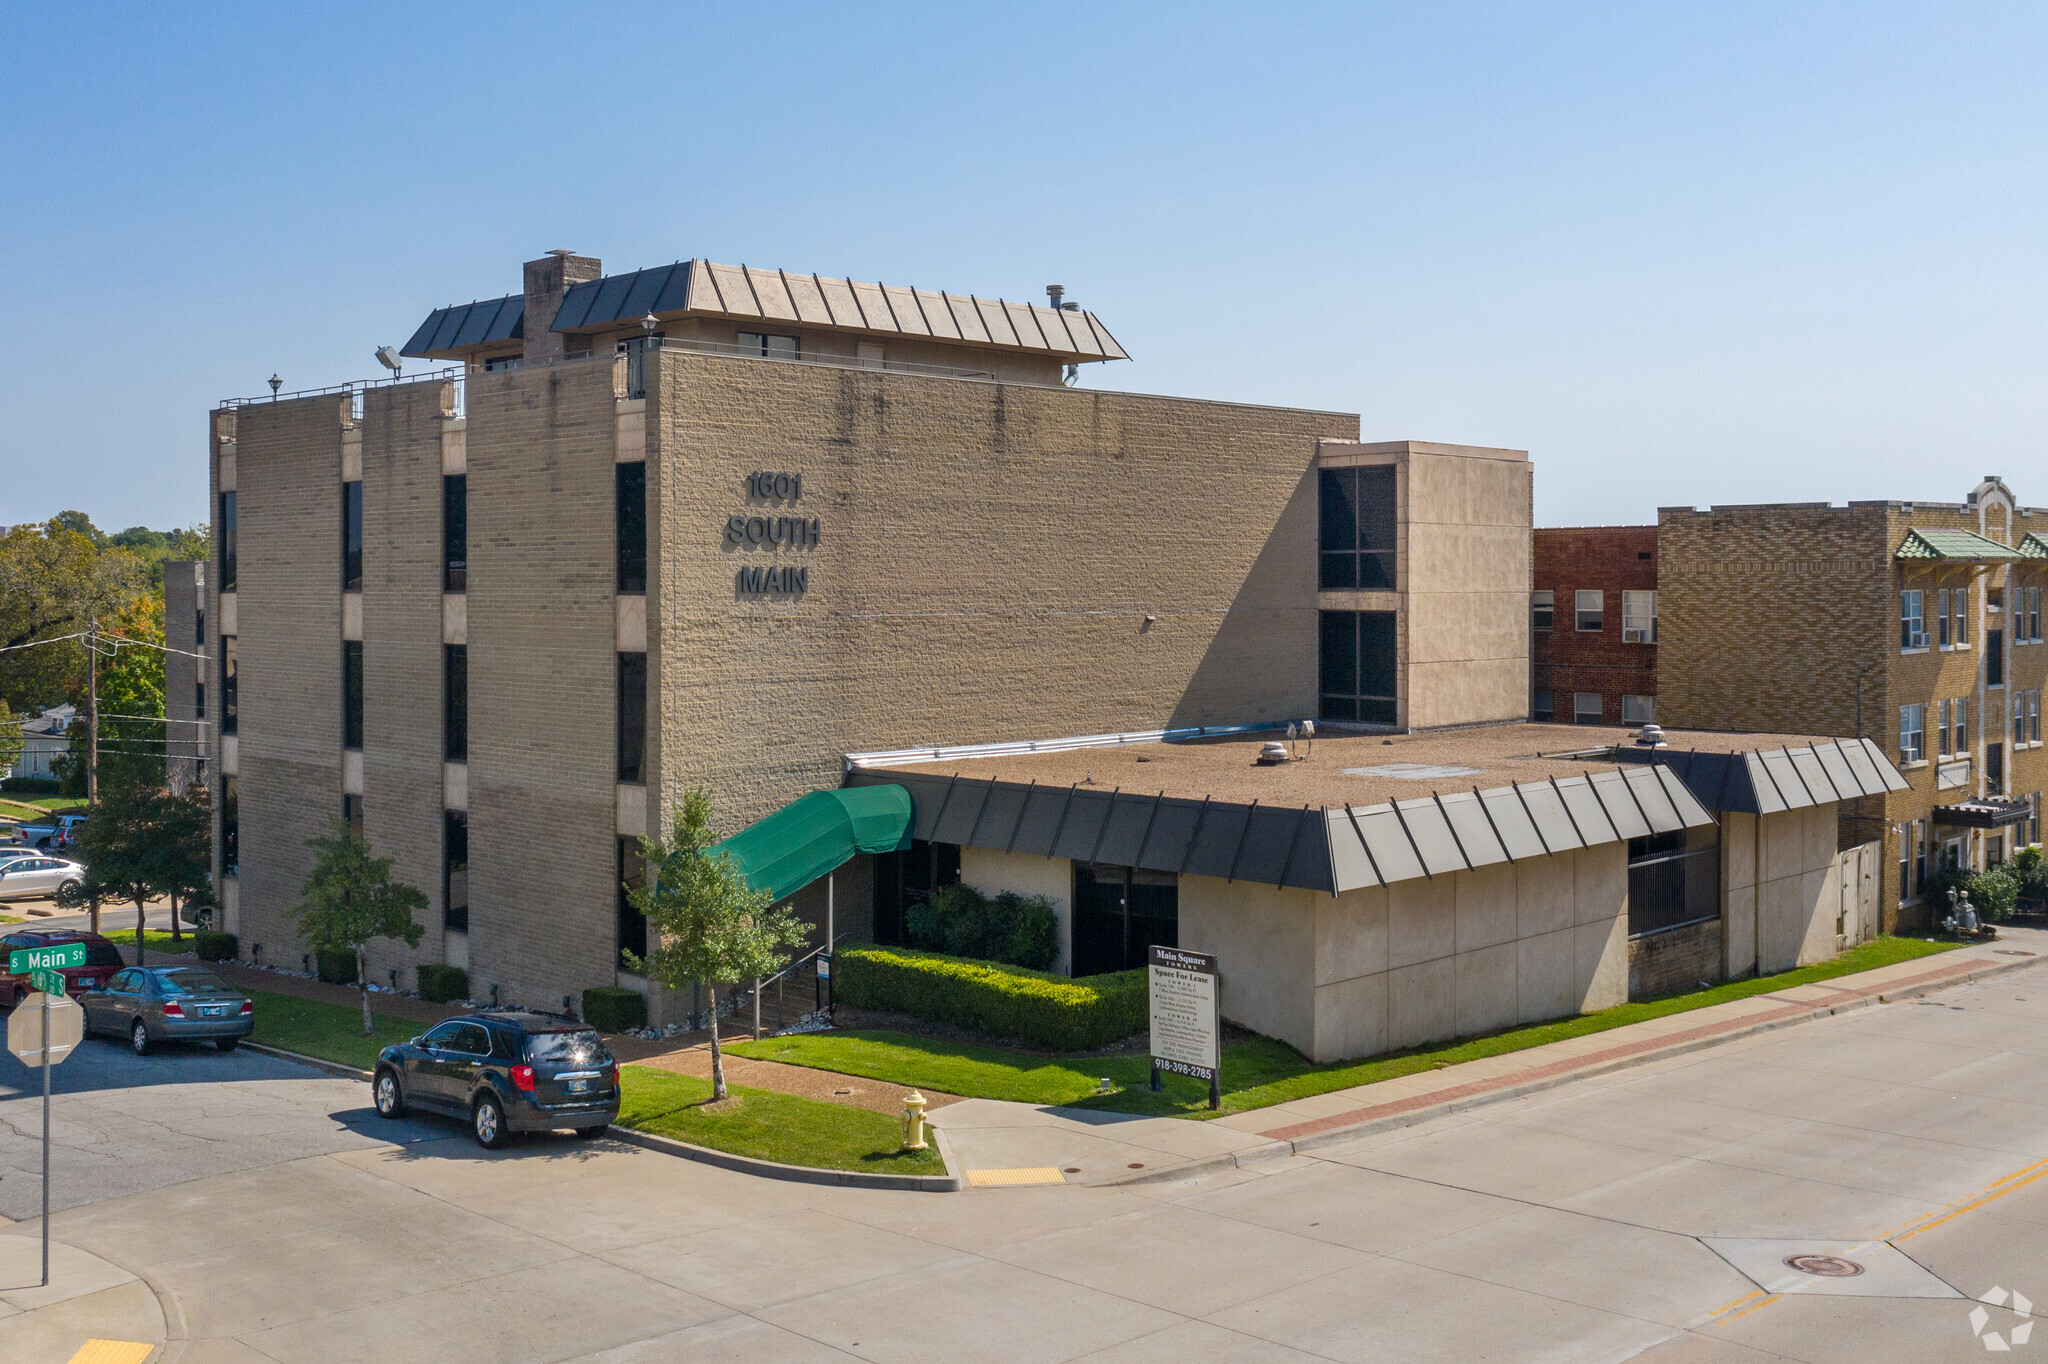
(1256, 1070)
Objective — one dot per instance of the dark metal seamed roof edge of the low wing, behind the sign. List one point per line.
(1312, 849)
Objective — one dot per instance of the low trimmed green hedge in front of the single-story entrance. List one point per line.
(1050, 1011)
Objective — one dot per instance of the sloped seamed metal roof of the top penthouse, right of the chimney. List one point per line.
(706, 288)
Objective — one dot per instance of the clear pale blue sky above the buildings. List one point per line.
(1682, 255)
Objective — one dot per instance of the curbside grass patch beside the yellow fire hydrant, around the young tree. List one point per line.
(765, 1125)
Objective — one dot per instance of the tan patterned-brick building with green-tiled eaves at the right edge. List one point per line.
(1914, 624)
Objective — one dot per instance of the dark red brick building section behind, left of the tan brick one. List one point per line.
(1594, 626)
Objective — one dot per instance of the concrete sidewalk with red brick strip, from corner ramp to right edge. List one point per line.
(1025, 1144)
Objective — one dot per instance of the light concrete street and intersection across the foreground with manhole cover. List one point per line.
(259, 1213)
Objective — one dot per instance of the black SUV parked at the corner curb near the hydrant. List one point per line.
(507, 1072)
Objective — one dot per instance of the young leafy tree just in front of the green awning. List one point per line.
(706, 921)
